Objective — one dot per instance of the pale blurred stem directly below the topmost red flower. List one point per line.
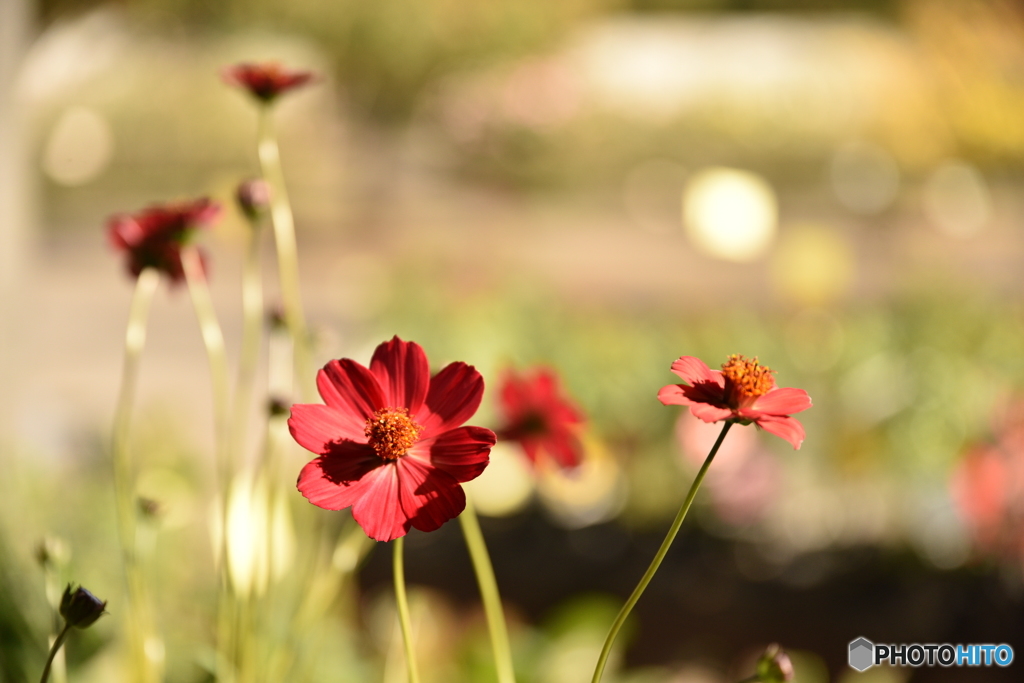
(288, 260)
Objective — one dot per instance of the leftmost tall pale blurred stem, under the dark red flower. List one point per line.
(124, 486)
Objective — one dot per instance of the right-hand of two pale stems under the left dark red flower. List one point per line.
(214, 341)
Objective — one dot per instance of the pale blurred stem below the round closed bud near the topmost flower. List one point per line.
(252, 326)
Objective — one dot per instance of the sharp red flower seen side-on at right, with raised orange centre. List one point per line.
(744, 392)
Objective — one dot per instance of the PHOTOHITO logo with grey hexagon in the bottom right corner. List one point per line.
(865, 655)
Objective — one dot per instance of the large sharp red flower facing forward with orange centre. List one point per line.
(391, 441)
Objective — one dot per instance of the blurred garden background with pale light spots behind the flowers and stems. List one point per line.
(596, 186)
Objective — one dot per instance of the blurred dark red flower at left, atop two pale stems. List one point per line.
(153, 238)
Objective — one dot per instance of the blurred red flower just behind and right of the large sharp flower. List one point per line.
(541, 418)
